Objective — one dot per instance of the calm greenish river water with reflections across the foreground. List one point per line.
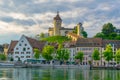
(57, 74)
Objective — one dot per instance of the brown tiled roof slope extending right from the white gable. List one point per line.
(35, 43)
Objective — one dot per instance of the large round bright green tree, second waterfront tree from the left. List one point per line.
(47, 52)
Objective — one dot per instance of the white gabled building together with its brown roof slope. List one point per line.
(24, 49)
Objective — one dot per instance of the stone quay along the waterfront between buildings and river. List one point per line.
(20, 65)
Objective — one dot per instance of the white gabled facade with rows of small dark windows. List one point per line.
(23, 50)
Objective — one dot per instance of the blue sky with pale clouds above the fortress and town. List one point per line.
(31, 17)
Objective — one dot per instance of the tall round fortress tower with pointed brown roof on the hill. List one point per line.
(57, 21)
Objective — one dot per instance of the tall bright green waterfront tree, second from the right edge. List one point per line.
(108, 53)
